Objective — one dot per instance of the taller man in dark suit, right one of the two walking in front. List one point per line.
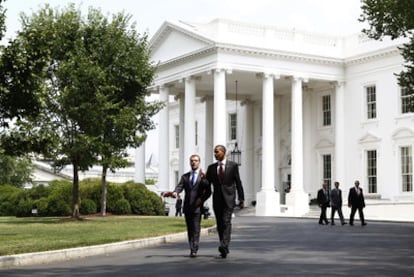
(225, 178)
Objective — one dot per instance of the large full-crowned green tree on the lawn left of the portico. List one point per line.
(91, 79)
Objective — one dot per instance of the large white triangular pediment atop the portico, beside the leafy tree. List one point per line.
(173, 41)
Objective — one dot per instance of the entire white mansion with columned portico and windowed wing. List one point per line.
(304, 108)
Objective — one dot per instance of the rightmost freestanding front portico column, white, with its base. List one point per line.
(297, 200)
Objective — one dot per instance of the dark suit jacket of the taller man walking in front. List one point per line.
(225, 190)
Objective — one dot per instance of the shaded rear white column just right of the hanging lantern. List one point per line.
(247, 148)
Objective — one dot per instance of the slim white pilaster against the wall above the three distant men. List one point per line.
(340, 133)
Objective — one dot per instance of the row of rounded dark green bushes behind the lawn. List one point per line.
(56, 199)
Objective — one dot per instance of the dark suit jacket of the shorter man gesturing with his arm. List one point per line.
(201, 190)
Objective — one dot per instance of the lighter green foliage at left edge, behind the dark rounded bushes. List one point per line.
(15, 171)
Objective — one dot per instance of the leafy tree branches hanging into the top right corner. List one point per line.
(394, 18)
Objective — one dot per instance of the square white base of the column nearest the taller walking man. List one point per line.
(267, 203)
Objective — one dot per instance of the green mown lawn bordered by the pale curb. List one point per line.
(34, 234)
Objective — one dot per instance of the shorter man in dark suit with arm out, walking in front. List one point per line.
(197, 190)
